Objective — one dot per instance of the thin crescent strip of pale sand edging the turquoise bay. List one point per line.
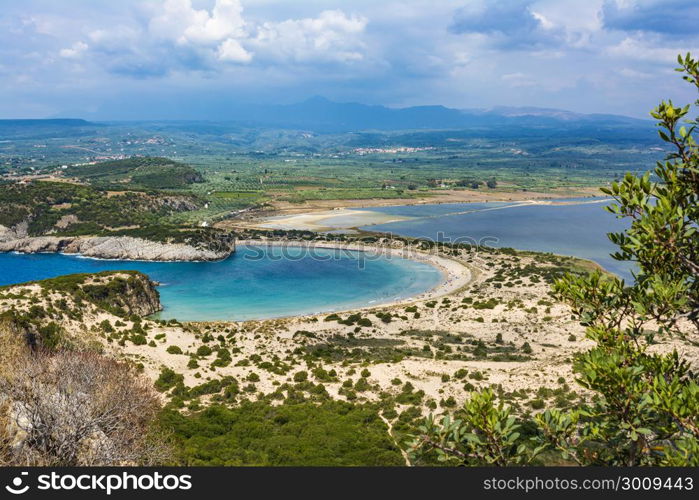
(455, 275)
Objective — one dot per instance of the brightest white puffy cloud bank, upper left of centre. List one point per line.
(206, 39)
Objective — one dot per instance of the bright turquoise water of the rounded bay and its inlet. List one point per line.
(254, 283)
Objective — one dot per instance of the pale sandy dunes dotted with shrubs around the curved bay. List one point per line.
(427, 344)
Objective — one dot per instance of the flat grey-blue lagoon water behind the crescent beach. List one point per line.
(578, 229)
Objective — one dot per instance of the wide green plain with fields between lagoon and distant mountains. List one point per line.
(235, 168)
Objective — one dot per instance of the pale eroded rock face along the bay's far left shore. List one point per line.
(116, 247)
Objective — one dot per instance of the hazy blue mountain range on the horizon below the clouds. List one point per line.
(324, 116)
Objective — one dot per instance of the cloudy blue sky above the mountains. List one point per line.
(179, 59)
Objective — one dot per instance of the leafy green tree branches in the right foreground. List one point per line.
(646, 405)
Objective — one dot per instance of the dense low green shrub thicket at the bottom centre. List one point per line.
(332, 433)
